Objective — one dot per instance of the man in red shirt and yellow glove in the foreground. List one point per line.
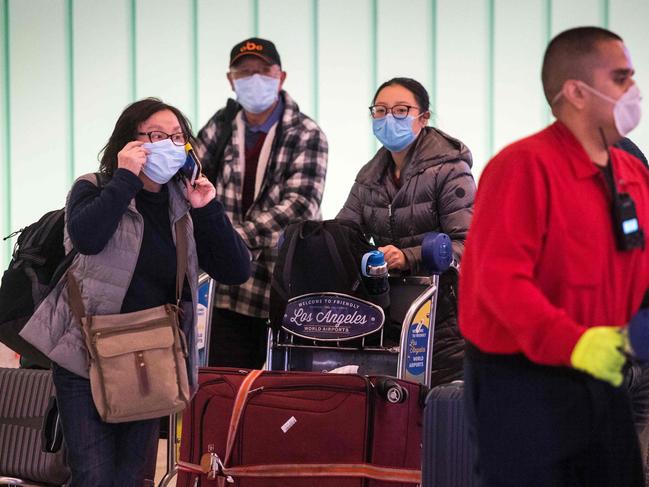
(548, 280)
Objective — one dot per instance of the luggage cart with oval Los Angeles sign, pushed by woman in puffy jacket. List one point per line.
(325, 331)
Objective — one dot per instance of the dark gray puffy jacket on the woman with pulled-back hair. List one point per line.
(436, 194)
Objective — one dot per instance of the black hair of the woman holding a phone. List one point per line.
(126, 129)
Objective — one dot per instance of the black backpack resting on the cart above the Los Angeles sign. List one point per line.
(315, 257)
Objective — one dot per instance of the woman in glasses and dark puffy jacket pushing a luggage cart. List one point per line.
(419, 181)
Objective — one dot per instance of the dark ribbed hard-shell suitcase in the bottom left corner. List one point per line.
(31, 448)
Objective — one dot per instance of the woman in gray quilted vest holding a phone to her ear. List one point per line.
(126, 261)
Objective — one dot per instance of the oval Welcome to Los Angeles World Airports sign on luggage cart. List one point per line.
(331, 317)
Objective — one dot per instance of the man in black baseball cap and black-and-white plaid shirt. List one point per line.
(268, 162)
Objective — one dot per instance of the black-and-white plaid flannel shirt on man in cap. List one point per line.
(291, 190)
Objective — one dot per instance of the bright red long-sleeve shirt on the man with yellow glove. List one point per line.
(540, 263)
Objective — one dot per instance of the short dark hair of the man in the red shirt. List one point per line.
(572, 55)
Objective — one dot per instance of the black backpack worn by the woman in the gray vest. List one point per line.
(37, 264)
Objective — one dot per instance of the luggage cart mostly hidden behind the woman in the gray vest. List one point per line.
(206, 290)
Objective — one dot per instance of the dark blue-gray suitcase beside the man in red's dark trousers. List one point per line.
(448, 457)
